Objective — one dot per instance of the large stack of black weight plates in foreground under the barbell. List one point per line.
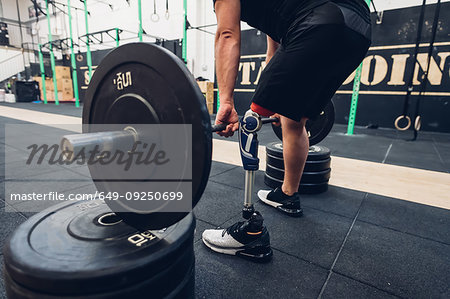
(82, 250)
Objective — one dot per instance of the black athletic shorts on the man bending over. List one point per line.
(318, 53)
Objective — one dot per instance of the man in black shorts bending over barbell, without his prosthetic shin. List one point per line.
(312, 47)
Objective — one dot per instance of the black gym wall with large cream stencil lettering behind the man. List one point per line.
(385, 71)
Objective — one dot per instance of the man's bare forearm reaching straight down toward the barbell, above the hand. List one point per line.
(227, 54)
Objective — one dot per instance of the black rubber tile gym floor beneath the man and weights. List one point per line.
(348, 244)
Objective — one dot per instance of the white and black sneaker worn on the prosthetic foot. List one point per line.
(248, 239)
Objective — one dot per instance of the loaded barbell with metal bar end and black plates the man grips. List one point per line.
(138, 84)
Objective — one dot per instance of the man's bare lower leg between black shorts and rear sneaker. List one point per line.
(295, 153)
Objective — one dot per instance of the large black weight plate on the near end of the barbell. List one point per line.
(158, 89)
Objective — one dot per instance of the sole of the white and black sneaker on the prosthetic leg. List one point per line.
(256, 254)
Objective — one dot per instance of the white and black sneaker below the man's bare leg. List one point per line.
(289, 205)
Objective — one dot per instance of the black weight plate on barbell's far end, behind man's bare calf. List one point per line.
(317, 129)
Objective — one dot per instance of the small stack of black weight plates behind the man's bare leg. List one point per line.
(315, 175)
